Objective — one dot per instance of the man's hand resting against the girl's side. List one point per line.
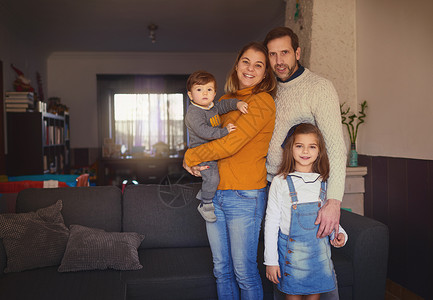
(328, 218)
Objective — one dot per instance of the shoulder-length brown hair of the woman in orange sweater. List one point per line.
(268, 84)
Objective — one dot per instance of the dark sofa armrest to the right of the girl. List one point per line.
(367, 247)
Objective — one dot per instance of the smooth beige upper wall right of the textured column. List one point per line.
(394, 73)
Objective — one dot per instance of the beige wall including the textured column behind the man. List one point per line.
(379, 51)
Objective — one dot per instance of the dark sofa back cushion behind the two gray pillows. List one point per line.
(95, 206)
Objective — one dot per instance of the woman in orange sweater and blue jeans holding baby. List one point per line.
(240, 201)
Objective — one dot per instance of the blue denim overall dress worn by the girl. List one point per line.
(305, 261)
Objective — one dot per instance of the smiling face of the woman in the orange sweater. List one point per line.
(251, 68)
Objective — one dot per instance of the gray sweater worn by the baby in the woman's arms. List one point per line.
(204, 125)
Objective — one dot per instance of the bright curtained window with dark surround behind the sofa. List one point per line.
(139, 111)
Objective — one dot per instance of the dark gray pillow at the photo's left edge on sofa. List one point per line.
(34, 239)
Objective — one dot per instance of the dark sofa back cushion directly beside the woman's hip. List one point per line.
(166, 214)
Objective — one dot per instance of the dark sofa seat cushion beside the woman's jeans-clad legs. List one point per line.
(187, 271)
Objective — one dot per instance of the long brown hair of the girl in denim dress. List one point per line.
(321, 165)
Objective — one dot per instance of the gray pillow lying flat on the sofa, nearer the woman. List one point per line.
(91, 248)
